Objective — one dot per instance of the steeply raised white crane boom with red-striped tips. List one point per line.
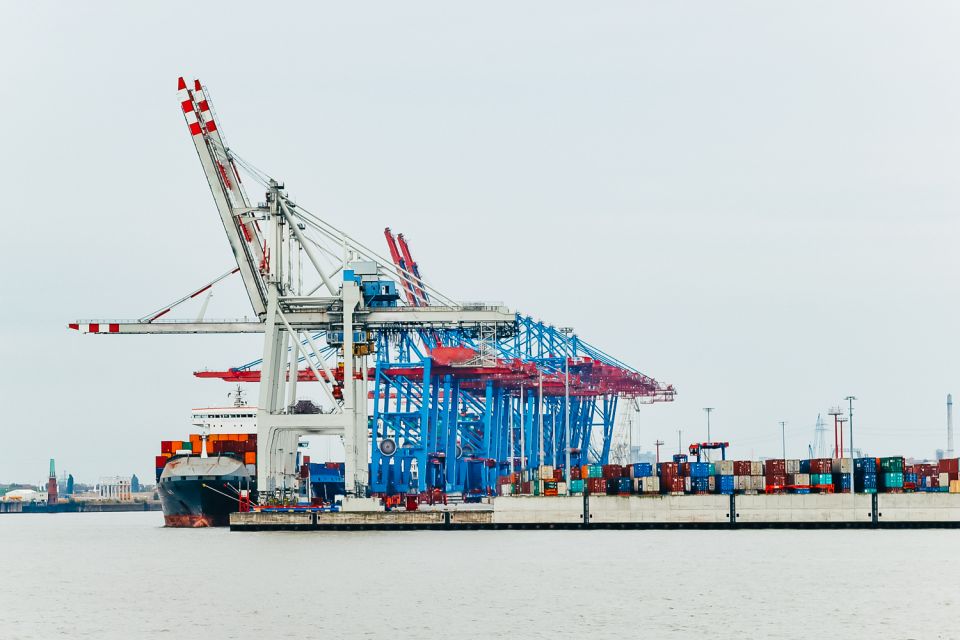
(232, 203)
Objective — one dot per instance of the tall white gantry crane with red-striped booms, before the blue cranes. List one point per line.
(294, 300)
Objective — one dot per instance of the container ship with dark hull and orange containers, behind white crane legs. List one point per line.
(203, 479)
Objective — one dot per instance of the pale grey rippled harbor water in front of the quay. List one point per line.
(122, 575)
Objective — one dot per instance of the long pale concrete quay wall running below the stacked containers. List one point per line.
(813, 511)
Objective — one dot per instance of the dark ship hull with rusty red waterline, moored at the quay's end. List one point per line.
(201, 492)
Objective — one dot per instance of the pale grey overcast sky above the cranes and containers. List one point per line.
(754, 201)
